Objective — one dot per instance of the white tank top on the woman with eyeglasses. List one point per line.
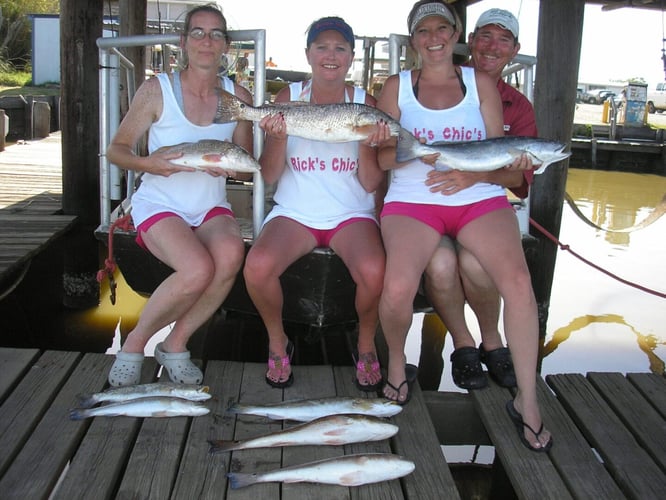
(191, 195)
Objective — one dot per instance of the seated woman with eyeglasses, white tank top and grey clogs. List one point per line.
(181, 214)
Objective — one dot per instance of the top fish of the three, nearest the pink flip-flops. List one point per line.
(305, 410)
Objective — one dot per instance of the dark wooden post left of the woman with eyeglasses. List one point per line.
(80, 26)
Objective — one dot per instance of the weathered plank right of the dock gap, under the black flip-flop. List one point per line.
(532, 475)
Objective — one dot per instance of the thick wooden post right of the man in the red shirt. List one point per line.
(558, 55)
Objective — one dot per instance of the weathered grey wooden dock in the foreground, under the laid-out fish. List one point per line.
(610, 436)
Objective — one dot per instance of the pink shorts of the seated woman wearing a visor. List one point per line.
(444, 219)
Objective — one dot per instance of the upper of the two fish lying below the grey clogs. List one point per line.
(126, 393)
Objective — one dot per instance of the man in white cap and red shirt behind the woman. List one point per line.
(493, 44)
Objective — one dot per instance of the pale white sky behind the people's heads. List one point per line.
(630, 38)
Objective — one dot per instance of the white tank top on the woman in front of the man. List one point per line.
(462, 122)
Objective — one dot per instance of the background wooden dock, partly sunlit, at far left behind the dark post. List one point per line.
(30, 201)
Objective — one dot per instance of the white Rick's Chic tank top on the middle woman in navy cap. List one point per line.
(319, 187)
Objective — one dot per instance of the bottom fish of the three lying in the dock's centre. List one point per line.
(349, 470)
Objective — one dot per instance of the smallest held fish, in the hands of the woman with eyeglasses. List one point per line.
(212, 153)
